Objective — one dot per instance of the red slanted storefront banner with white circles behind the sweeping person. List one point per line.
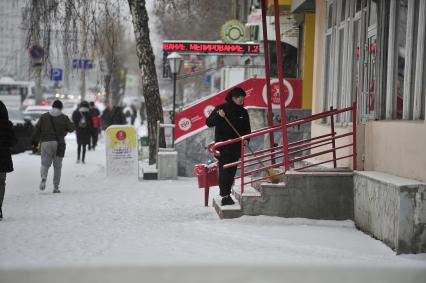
(193, 118)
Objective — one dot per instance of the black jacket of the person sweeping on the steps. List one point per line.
(238, 117)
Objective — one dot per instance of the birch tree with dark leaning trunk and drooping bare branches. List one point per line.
(81, 17)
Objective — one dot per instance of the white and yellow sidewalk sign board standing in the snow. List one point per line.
(121, 151)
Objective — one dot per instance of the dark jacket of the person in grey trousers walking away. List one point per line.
(44, 130)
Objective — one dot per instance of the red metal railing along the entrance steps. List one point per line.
(324, 144)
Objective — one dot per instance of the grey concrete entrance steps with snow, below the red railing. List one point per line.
(314, 195)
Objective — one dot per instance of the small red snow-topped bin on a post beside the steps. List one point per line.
(207, 177)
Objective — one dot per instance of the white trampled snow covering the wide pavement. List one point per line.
(117, 221)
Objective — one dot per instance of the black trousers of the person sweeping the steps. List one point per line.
(226, 176)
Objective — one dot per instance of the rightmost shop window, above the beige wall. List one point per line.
(406, 98)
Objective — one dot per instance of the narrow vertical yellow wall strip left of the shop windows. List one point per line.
(308, 60)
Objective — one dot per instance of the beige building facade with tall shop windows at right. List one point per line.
(373, 52)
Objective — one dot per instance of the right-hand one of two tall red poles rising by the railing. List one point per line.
(280, 82)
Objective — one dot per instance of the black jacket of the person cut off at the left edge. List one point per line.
(7, 140)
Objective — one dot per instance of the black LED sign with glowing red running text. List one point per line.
(211, 47)
